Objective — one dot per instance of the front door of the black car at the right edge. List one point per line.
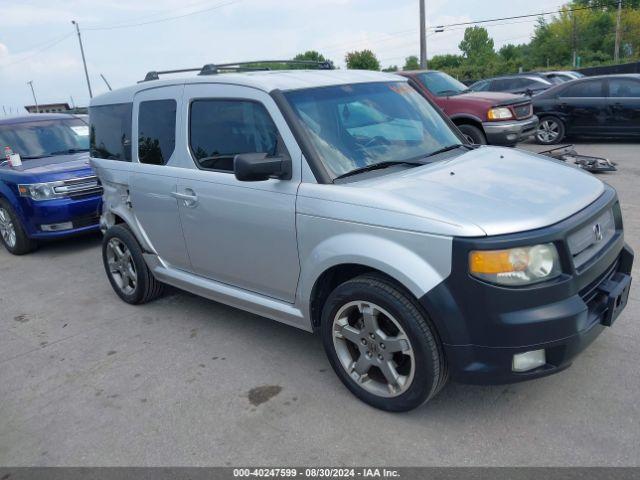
(584, 107)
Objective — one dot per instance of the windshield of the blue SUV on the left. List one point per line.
(41, 138)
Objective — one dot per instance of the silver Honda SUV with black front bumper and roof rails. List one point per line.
(344, 202)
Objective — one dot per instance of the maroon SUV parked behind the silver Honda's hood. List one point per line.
(483, 117)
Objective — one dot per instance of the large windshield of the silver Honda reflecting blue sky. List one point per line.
(354, 126)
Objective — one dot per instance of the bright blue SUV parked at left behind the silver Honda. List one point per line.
(54, 193)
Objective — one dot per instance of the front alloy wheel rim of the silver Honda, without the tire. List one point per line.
(373, 349)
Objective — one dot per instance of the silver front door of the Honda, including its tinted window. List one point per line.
(239, 233)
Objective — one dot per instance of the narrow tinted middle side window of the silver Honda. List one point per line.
(156, 131)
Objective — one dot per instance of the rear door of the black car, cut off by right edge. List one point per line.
(624, 105)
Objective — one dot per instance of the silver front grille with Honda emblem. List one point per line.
(591, 238)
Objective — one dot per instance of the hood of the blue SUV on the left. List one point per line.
(54, 168)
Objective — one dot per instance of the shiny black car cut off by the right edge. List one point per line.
(602, 106)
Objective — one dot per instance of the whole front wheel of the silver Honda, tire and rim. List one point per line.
(381, 345)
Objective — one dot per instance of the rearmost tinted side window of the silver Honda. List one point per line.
(110, 131)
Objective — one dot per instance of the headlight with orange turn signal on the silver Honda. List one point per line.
(516, 266)
